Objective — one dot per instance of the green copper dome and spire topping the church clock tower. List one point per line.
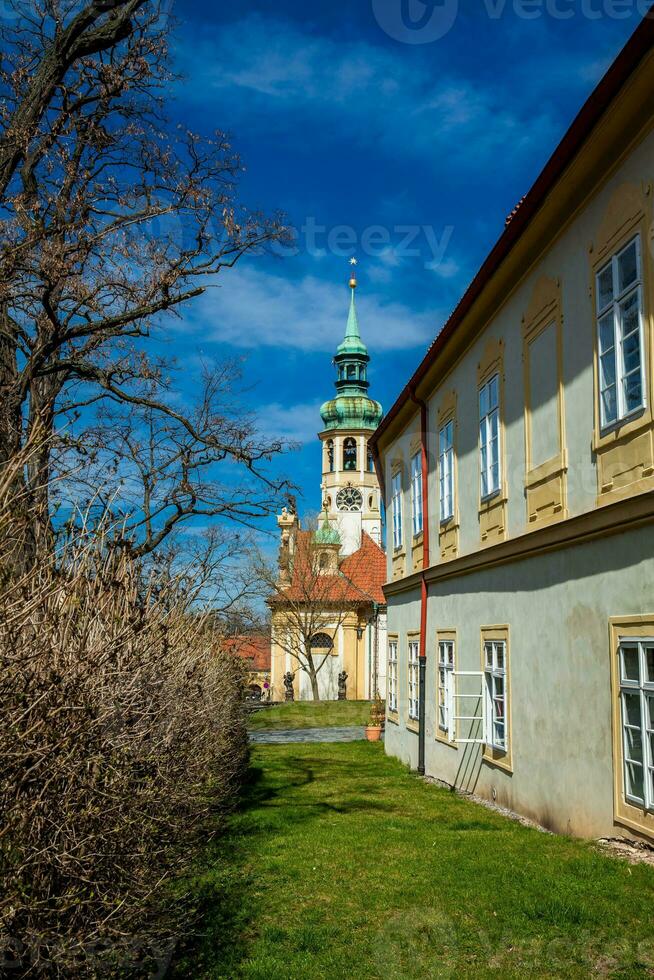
(352, 408)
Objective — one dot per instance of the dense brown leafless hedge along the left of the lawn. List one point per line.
(122, 739)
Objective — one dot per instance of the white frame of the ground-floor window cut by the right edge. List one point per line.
(644, 689)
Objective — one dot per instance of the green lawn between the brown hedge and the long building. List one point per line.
(342, 864)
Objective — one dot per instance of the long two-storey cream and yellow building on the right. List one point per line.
(521, 621)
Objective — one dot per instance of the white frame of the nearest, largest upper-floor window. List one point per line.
(613, 309)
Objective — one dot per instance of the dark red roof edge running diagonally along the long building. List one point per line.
(636, 48)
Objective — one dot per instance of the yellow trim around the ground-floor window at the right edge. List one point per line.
(625, 813)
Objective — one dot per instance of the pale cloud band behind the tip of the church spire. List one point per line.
(255, 308)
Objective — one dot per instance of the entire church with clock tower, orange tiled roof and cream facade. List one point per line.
(328, 610)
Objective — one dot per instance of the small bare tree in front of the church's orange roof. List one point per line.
(311, 593)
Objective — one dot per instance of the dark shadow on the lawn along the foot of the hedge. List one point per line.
(224, 883)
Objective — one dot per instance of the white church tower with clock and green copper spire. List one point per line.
(350, 489)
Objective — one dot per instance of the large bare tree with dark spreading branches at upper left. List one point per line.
(110, 221)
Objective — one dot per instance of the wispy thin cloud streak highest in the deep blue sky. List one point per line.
(365, 90)
